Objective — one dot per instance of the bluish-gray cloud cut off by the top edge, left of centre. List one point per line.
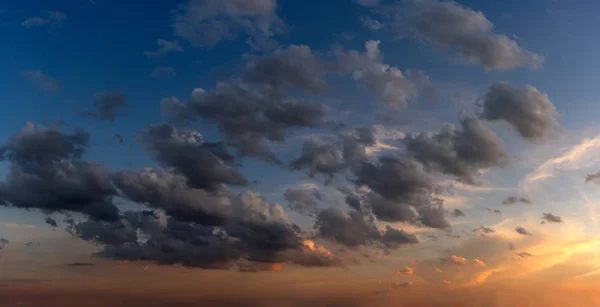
(204, 23)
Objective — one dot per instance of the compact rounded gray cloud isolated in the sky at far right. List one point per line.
(530, 112)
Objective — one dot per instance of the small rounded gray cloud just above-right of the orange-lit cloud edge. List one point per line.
(352, 229)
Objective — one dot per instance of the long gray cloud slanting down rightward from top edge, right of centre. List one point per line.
(449, 25)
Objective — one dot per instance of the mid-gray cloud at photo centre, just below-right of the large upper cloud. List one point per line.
(330, 156)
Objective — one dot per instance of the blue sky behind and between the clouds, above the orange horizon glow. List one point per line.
(57, 55)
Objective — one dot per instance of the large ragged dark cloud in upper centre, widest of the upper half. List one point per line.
(253, 111)
